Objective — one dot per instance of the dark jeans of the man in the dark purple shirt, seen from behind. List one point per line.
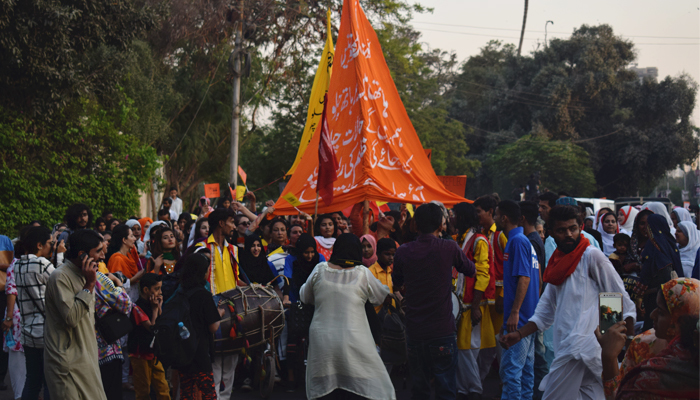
(433, 359)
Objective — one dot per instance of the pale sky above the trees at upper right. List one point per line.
(666, 34)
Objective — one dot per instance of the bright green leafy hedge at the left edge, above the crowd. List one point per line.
(48, 166)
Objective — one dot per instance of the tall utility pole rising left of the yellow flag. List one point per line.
(236, 113)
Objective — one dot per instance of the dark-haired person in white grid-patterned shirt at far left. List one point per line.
(32, 272)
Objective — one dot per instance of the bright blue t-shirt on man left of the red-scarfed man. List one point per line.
(520, 259)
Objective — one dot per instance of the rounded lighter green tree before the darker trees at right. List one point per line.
(563, 166)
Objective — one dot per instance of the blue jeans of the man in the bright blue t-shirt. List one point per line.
(517, 370)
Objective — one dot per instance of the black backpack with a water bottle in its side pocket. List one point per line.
(168, 347)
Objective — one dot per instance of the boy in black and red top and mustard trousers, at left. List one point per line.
(147, 370)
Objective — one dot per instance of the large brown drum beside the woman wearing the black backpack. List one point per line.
(253, 314)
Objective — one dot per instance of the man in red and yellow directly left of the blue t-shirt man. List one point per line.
(485, 208)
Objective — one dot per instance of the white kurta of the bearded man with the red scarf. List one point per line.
(572, 309)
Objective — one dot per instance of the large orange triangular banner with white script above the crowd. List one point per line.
(379, 154)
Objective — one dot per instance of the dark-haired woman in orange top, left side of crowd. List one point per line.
(122, 256)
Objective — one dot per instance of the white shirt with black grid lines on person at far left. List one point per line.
(31, 276)
